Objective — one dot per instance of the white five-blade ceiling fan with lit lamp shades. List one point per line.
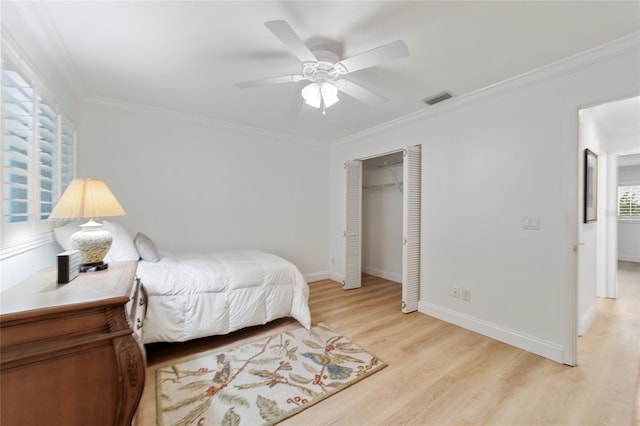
(326, 71)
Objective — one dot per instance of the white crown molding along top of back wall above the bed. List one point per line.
(200, 120)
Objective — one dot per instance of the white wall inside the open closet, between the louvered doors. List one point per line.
(382, 222)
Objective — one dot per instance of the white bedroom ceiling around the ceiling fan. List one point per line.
(187, 56)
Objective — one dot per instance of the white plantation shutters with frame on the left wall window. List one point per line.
(37, 151)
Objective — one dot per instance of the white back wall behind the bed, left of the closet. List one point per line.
(195, 186)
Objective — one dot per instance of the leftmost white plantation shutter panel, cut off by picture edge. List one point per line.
(17, 146)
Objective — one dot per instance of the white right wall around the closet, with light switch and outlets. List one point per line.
(512, 150)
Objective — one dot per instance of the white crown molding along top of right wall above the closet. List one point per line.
(603, 53)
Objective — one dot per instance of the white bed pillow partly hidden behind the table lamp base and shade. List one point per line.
(122, 247)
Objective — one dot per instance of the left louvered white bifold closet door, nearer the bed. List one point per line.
(353, 226)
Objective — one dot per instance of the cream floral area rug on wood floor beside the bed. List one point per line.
(262, 382)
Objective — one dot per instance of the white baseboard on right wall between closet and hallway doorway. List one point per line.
(515, 338)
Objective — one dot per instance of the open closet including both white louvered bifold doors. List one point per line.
(382, 224)
